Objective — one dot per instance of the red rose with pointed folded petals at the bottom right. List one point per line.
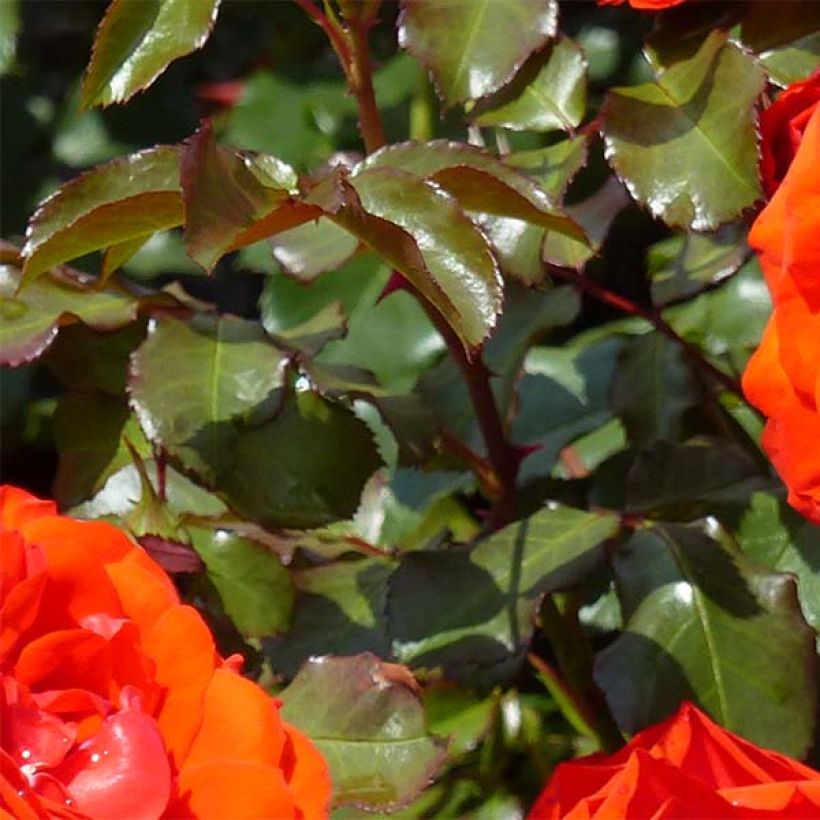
(686, 766)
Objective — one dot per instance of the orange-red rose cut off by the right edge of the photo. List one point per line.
(783, 377)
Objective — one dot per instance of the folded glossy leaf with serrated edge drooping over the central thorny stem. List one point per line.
(420, 230)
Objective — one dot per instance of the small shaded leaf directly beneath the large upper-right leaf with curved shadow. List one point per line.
(684, 265)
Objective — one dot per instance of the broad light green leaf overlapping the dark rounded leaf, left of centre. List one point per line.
(188, 377)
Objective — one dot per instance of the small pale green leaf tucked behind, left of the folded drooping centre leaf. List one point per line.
(313, 248)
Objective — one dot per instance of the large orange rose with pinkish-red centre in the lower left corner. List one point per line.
(114, 702)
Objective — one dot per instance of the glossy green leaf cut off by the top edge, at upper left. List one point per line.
(136, 41)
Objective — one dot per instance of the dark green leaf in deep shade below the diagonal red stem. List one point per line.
(654, 387)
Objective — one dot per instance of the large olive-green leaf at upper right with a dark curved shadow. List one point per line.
(685, 144)
